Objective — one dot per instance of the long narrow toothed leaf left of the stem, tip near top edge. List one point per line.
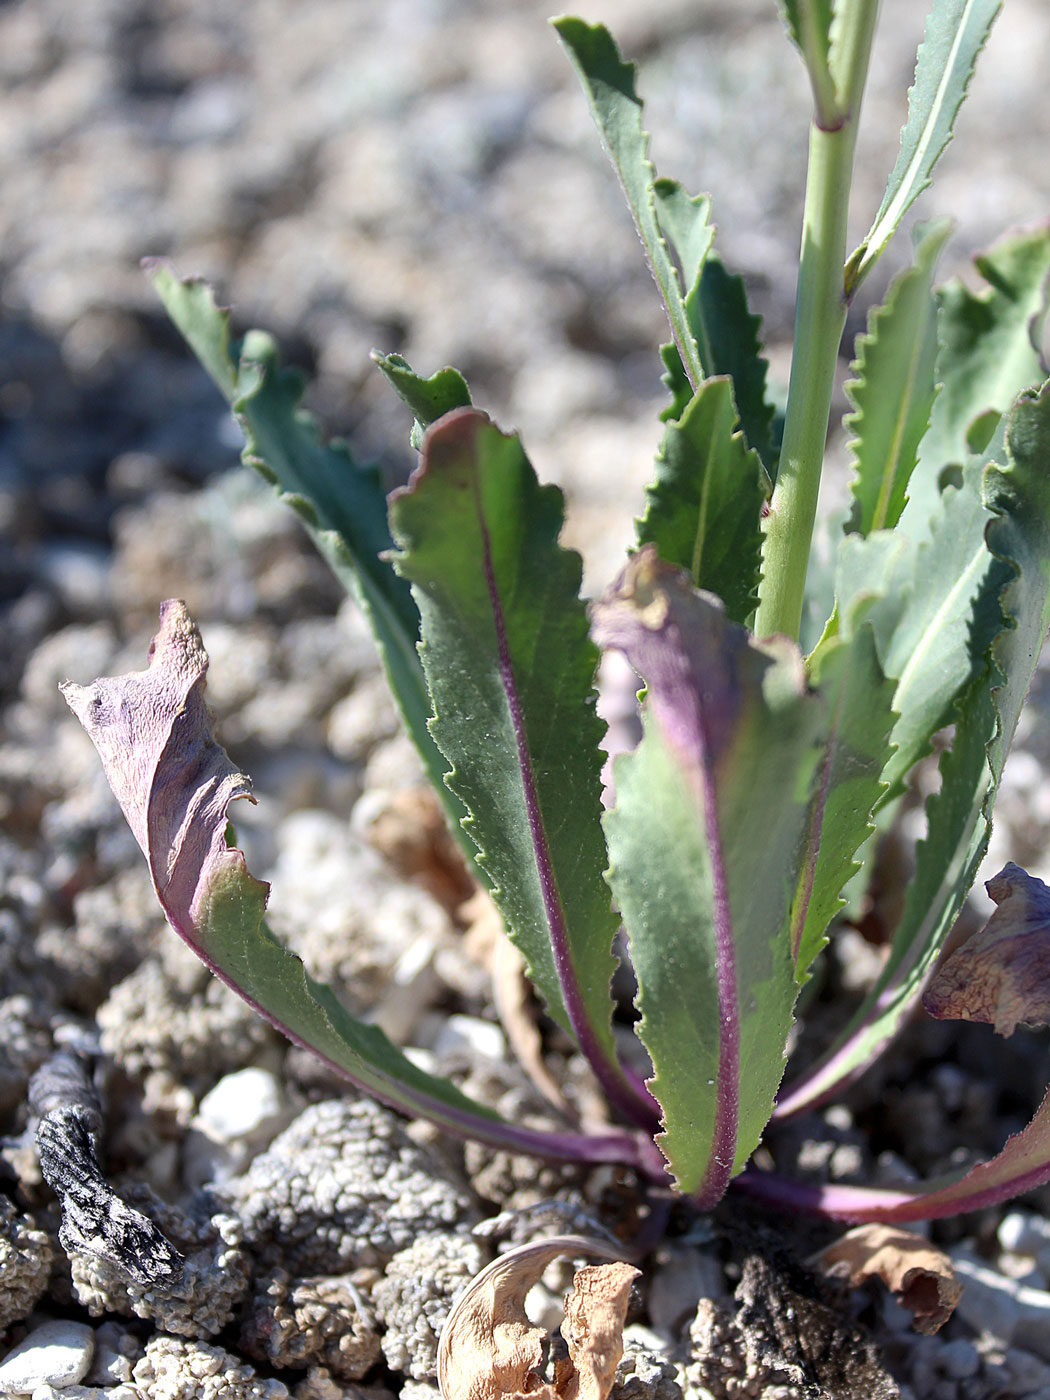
(617, 108)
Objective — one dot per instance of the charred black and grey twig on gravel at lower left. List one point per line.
(94, 1219)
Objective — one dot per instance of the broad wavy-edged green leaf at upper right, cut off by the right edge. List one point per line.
(988, 356)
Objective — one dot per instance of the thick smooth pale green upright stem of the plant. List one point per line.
(820, 320)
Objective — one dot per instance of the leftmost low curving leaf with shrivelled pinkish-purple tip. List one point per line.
(176, 785)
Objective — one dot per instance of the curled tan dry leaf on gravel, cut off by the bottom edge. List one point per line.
(491, 1350)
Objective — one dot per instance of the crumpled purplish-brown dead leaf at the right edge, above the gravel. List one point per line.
(1002, 974)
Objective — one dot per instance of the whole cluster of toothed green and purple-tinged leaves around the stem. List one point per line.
(752, 797)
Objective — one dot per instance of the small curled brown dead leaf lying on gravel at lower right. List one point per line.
(916, 1272)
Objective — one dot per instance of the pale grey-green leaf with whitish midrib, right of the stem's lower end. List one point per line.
(936, 611)
